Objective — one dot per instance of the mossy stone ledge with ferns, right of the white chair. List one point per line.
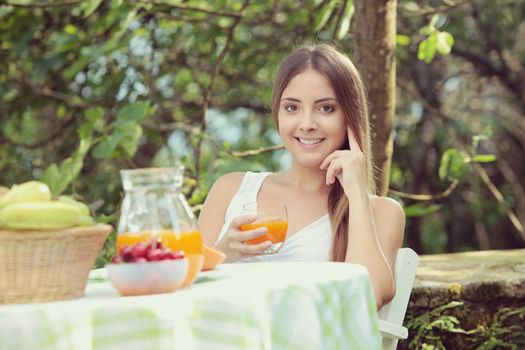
(473, 300)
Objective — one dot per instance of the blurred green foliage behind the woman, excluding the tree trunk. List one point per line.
(88, 88)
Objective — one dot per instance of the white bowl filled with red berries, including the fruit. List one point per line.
(147, 269)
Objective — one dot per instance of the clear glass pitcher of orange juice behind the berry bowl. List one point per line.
(154, 208)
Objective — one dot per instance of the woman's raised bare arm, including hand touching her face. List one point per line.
(375, 226)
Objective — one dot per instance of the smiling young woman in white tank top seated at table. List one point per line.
(320, 109)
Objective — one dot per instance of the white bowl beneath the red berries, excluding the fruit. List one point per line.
(150, 277)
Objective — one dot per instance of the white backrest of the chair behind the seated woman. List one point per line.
(404, 274)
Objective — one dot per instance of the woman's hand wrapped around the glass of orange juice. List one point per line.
(233, 241)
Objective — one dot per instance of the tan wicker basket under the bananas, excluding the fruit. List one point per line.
(47, 265)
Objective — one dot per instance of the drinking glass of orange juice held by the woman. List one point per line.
(274, 217)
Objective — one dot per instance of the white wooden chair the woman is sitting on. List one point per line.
(391, 315)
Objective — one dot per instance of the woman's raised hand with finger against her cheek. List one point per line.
(348, 166)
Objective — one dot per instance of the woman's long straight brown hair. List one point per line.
(350, 93)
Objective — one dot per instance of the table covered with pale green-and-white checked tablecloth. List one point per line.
(299, 305)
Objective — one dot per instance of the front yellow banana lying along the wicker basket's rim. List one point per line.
(40, 215)
